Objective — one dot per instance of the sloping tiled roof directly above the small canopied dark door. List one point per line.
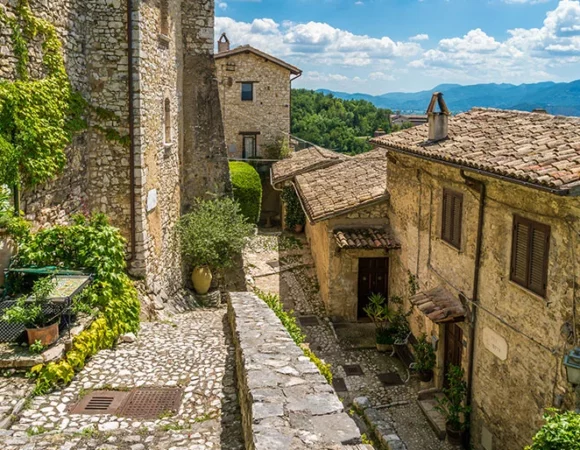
(357, 182)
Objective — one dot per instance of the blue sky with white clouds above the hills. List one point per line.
(380, 46)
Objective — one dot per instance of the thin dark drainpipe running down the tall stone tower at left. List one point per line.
(131, 86)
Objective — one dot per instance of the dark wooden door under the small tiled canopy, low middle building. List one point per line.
(373, 276)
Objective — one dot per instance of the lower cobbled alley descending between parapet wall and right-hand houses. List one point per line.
(283, 264)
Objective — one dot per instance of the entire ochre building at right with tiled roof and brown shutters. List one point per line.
(485, 207)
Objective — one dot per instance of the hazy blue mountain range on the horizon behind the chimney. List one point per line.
(556, 98)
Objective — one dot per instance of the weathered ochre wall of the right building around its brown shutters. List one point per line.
(519, 345)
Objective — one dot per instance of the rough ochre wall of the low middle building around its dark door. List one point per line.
(337, 270)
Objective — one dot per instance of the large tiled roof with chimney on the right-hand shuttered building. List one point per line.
(539, 148)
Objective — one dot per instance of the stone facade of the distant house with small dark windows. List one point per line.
(268, 113)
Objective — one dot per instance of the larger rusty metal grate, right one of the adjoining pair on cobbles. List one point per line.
(151, 403)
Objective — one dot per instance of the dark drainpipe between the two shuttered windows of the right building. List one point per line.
(479, 186)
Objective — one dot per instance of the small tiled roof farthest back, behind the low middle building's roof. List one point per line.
(311, 158)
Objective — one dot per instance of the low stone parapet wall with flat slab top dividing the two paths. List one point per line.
(286, 403)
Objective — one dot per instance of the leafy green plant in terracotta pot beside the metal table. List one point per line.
(29, 311)
